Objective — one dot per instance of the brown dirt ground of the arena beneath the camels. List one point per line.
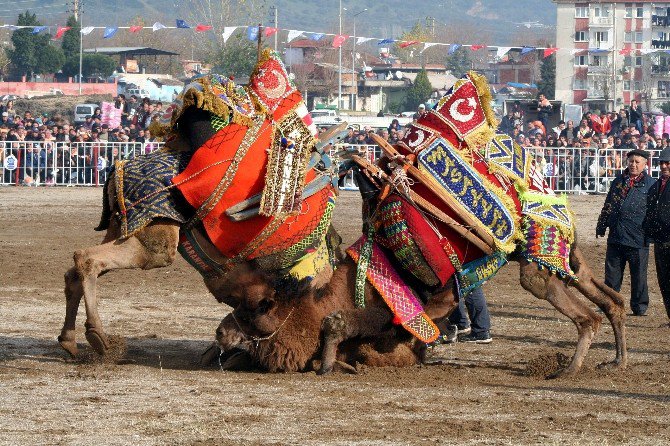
(159, 395)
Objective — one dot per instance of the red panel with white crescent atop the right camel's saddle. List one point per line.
(461, 109)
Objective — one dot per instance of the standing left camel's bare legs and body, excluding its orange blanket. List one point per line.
(154, 246)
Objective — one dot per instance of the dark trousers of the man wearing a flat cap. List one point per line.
(615, 263)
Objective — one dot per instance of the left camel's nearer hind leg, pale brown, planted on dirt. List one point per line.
(155, 246)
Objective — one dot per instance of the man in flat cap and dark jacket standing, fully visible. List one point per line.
(623, 213)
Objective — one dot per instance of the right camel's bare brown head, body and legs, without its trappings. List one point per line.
(290, 331)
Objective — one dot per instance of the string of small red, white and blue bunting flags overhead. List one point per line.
(339, 40)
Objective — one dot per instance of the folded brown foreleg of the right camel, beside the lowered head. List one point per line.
(346, 324)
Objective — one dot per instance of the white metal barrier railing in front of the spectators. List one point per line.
(567, 169)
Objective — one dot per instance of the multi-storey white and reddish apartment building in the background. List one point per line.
(613, 52)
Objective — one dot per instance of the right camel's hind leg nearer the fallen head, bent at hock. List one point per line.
(543, 285)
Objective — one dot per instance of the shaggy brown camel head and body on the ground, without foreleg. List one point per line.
(280, 326)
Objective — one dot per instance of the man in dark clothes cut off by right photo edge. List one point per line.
(657, 226)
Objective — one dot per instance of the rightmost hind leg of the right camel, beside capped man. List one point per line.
(608, 300)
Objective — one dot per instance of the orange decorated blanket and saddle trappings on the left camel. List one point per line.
(259, 149)
